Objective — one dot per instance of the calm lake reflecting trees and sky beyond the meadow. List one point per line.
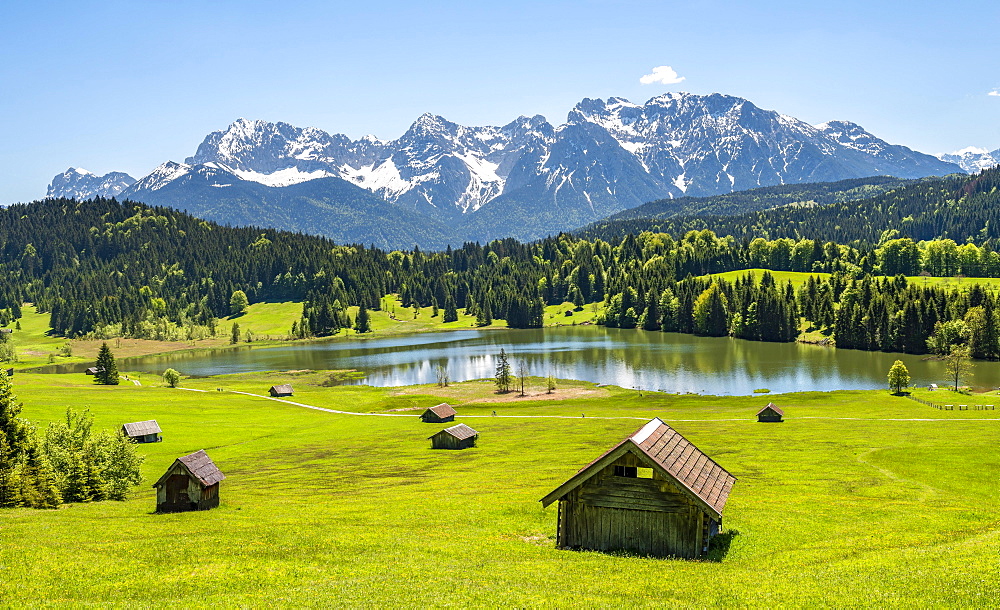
(629, 358)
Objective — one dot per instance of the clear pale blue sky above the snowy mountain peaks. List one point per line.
(127, 85)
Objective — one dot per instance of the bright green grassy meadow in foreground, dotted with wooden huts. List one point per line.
(858, 499)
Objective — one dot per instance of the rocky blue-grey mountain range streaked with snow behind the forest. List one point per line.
(529, 177)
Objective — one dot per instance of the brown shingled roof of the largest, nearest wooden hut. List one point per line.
(675, 456)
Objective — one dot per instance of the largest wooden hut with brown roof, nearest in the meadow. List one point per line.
(654, 493)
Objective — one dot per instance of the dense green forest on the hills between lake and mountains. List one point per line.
(106, 268)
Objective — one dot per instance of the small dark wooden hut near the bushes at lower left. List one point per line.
(191, 483)
